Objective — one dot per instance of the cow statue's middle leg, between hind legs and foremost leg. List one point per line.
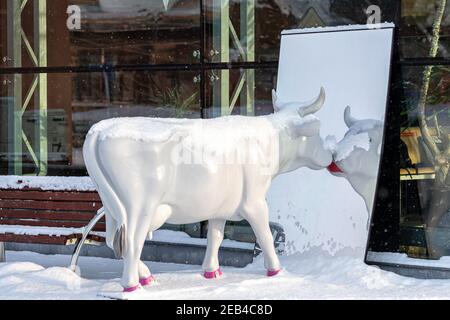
(210, 264)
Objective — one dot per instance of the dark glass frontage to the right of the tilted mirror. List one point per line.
(412, 212)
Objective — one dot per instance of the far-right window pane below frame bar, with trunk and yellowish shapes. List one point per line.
(425, 179)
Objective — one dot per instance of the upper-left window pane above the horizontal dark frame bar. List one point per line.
(97, 32)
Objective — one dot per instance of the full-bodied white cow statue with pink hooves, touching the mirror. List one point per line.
(151, 171)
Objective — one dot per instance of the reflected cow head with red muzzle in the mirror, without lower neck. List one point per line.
(358, 153)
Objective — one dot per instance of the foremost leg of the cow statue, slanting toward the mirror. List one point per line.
(257, 214)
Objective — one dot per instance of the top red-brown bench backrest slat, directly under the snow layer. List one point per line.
(33, 194)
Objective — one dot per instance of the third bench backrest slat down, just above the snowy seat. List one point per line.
(46, 215)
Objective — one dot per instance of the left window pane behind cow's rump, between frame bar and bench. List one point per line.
(74, 102)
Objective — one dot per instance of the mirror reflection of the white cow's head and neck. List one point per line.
(356, 157)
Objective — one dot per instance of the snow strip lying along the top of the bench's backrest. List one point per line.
(47, 183)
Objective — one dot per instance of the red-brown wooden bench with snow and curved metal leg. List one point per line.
(30, 214)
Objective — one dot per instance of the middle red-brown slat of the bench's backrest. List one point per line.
(50, 205)
